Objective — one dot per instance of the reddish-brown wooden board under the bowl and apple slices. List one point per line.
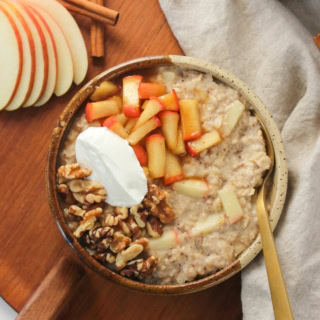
(30, 243)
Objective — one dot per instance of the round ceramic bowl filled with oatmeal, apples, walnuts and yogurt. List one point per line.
(153, 172)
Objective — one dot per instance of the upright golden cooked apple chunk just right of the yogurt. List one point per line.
(156, 149)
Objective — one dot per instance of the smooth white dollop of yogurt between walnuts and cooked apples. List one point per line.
(113, 164)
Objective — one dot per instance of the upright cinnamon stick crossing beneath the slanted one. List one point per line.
(97, 35)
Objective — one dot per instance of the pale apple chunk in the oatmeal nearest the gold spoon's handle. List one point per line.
(231, 205)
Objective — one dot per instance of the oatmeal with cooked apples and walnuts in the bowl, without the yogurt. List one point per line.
(203, 153)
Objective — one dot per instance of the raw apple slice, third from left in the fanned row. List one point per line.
(41, 53)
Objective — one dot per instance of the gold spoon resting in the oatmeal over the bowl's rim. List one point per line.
(280, 300)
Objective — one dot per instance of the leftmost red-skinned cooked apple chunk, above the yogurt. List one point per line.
(101, 109)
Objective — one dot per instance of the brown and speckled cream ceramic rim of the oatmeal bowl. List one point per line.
(277, 192)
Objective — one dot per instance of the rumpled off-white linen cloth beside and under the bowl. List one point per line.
(265, 45)
